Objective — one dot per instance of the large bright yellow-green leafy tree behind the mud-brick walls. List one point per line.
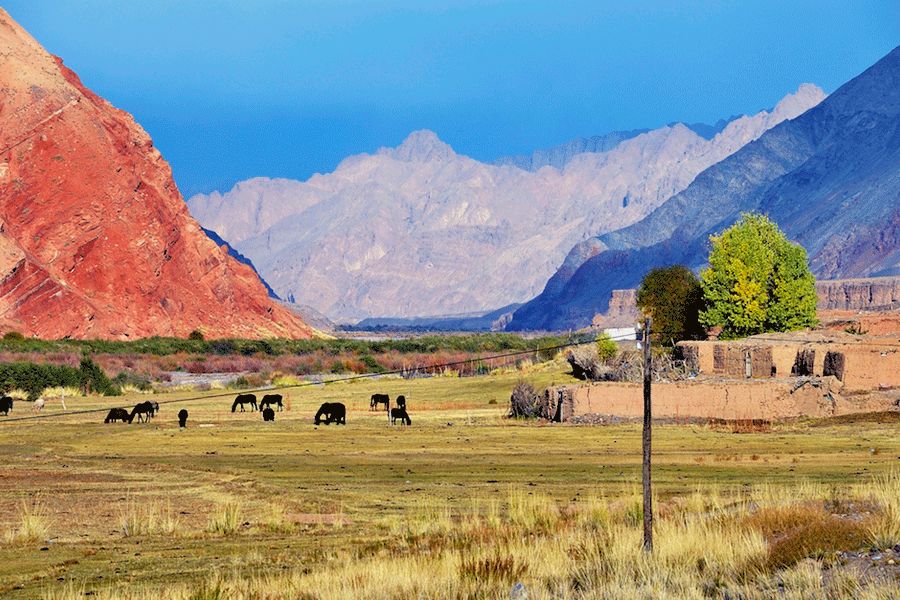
(757, 281)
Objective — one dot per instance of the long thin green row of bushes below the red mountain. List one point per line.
(161, 346)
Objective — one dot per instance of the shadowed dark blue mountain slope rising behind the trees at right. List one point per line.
(830, 178)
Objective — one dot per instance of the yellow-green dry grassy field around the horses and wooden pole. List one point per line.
(462, 504)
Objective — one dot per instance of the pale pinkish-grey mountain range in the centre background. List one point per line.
(418, 230)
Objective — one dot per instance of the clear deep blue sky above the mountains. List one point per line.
(234, 89)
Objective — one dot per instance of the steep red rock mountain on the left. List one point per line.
(95, 238)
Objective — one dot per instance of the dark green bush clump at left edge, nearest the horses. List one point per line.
(35, 378)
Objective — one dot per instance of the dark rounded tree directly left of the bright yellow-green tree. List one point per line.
(673, 298)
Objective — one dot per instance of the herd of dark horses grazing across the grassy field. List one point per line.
(329, 412)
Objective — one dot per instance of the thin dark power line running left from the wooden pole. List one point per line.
(361, 376)
